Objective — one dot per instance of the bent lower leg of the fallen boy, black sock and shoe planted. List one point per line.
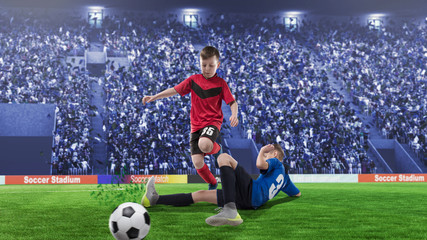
(228, 214)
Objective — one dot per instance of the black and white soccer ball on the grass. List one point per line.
(129, 221)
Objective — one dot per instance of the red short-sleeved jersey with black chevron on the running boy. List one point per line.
(206, 99)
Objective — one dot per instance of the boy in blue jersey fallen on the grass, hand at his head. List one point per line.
(239, 190)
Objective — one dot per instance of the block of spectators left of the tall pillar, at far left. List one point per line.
(33, 50)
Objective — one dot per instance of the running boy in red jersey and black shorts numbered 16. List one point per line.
(207, 92)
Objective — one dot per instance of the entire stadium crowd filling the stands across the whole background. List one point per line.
(279, 78)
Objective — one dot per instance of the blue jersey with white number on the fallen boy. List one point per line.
(270, 182)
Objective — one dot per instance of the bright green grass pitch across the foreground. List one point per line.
(324, 211)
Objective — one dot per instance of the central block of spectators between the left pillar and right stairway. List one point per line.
(282, 96)
